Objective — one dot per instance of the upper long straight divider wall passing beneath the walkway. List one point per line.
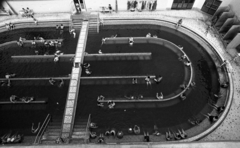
(87, 57)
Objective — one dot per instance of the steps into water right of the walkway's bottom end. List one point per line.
(80, 133)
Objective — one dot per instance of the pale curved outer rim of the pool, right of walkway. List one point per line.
(207, 45)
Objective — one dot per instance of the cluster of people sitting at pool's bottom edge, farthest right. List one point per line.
(178, 135)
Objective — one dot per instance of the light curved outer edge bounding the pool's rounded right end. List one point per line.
(183, 29)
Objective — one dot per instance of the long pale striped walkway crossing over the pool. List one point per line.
(71, 104)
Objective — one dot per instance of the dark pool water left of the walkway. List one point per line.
(20, 117)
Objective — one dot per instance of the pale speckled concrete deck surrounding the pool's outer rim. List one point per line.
(195, 20)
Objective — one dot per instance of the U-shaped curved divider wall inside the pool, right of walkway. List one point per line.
(168, 100)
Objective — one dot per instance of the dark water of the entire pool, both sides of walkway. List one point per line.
(163, 62)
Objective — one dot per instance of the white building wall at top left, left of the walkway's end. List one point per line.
(42, 6)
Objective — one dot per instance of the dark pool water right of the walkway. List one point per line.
(163, 62)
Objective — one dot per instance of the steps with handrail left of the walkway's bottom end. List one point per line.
(53, 130)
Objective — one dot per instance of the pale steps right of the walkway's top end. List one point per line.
(93, 24)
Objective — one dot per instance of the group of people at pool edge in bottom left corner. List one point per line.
(10, 138)
